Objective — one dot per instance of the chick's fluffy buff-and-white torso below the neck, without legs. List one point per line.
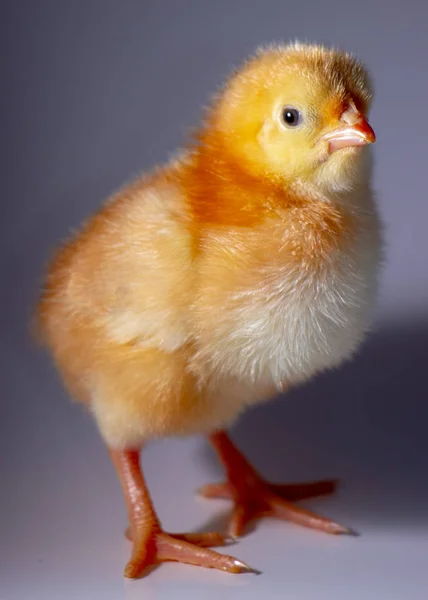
(169, 330)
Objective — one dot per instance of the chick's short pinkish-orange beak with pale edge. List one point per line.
(356, 132)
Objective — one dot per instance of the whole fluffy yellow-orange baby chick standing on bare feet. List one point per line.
(245, 266)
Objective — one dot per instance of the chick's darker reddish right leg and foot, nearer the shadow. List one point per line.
(254, 497)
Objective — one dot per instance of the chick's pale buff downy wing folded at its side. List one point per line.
(129, 271)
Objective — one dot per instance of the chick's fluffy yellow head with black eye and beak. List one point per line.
(297, 112)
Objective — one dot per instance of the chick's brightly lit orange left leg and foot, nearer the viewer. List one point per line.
(151, 544)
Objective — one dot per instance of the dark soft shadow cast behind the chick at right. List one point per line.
(365, 423)
